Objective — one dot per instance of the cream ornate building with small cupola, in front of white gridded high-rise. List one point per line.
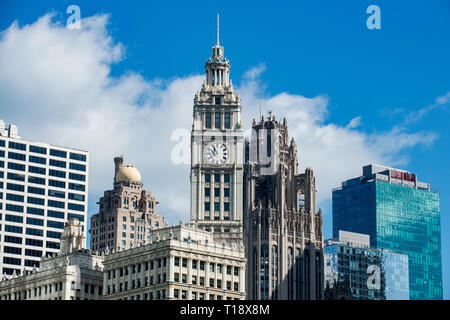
(71, 274)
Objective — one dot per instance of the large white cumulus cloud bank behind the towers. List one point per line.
(55, 84)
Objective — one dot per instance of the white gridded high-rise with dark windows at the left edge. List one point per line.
(41, 187)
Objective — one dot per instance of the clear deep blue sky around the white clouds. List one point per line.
(390, 78)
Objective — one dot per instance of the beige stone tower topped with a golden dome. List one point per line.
(127, 213)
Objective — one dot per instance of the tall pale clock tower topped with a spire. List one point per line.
(217, 147)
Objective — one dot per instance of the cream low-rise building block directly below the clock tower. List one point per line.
(181, 262)
